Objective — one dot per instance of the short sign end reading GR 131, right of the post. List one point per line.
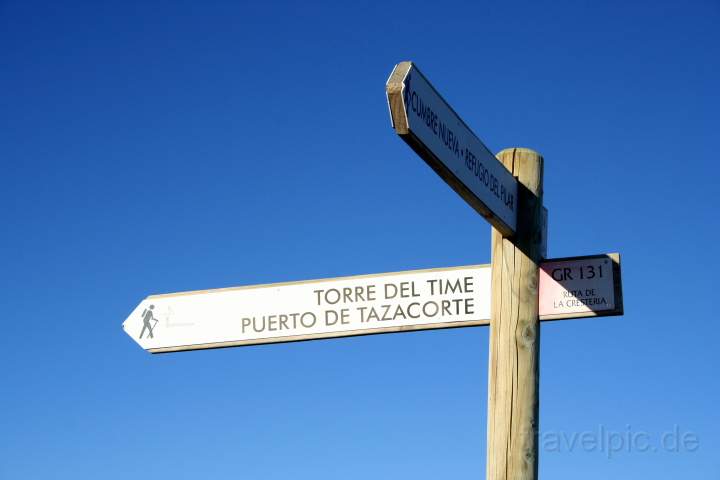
(580, 287)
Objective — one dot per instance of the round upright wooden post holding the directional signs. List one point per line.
(515, 330)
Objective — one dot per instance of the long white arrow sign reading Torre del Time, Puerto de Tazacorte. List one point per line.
(283, 312)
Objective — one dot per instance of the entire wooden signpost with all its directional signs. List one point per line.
(512, 295)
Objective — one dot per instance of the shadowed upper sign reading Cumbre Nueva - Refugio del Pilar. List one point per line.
(432, 128)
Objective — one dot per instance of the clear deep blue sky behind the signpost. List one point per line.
(152, 147)
